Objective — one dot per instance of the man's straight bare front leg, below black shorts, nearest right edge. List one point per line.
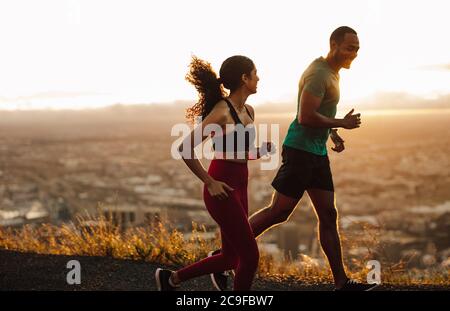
(323, 202)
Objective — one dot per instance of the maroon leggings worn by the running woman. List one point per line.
(239, 248)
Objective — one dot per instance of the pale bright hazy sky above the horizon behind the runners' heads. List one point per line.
(87, 53)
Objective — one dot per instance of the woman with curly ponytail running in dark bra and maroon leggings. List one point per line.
(225, 182)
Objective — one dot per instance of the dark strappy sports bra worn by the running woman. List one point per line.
(240, 139)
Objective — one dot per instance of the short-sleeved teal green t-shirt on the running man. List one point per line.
(322, 81)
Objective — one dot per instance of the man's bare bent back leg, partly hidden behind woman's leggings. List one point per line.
(276, 213)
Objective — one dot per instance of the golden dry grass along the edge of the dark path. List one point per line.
(161, 243)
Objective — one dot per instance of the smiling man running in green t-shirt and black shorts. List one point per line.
(305, 164)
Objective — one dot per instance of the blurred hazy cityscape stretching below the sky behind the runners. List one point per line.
(392, 182)
